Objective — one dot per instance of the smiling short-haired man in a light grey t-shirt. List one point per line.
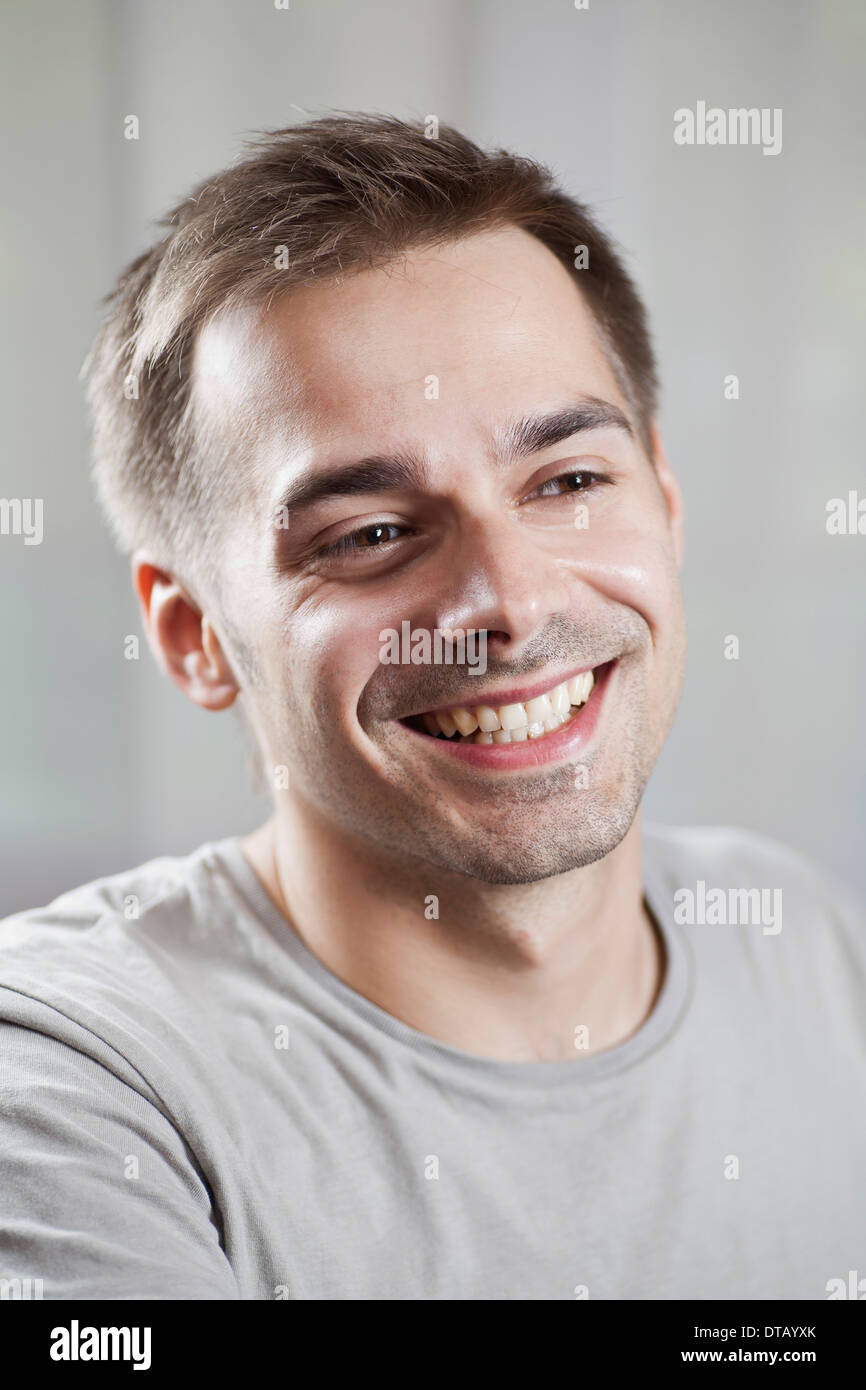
(451, 1025)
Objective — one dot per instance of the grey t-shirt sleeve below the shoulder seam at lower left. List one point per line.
(99, 1195)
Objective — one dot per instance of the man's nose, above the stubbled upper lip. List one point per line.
(504, 583)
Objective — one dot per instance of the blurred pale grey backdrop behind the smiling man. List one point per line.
(750, 265)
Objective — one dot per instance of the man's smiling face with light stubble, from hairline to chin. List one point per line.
(433, 362)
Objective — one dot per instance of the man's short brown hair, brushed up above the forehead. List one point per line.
(334, 195)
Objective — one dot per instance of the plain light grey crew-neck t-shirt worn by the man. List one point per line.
(194, 1107)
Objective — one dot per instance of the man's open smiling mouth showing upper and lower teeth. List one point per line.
(561, 715)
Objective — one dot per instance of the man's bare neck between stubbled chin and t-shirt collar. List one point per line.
(501, 971)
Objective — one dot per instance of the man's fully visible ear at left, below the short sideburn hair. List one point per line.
(181, 637)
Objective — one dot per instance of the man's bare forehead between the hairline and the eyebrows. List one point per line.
(440, 341)
